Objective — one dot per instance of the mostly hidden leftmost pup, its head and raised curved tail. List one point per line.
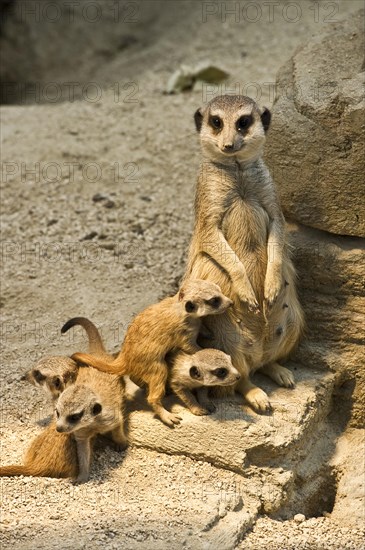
(55, 373)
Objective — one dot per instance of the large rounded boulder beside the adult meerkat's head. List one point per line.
(315, 147)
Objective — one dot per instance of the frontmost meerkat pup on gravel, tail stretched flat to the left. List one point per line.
(92, 406)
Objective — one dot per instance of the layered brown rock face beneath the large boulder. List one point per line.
(331, 275)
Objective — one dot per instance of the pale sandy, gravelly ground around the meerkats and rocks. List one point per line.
(66, 253)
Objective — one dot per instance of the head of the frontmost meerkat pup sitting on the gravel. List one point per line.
(78, 408)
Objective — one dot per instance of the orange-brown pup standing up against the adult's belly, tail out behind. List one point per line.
(172, 324)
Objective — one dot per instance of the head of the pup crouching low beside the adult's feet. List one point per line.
(212, 367)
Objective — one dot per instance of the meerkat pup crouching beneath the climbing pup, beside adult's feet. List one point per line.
(198, 372)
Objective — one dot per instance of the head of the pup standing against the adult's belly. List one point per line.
(201, 298)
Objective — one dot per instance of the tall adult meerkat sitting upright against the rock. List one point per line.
(239, 243)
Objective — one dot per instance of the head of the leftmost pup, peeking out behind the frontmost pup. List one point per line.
(53, 374)
